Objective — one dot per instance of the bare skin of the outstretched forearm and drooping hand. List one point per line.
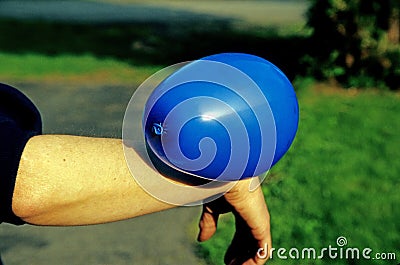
(70, 180)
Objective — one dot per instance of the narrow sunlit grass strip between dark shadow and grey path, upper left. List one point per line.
(70, 68)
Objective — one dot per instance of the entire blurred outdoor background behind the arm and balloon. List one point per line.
(80, 62)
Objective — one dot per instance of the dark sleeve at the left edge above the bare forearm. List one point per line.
(19, 121)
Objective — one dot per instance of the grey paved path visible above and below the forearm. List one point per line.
(165, 238)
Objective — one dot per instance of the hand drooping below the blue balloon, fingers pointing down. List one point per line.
(252, 224)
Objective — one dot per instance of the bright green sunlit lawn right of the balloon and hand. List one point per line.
(340, 178)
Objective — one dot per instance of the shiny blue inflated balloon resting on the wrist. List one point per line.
(224, 117)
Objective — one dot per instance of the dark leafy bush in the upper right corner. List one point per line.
(354, 42)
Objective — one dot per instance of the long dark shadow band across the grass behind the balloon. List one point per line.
(151, 43)
